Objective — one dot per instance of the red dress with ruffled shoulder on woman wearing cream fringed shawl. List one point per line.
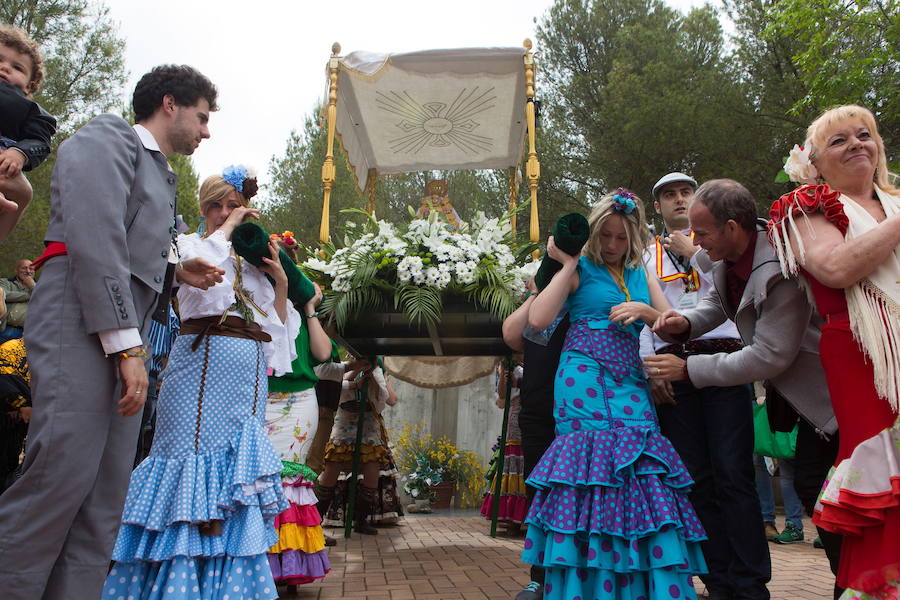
(870, 522)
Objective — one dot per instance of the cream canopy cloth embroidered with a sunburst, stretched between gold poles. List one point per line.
(435, 109)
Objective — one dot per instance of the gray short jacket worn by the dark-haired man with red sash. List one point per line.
(112, 202)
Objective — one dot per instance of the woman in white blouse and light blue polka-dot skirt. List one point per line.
(199, 516)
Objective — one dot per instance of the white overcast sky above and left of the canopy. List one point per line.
(268, 57)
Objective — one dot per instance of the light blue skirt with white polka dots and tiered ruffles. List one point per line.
(200, 510)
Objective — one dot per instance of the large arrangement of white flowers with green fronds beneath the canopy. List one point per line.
(477, 260)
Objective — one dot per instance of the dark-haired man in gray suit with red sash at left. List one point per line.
(108, 246)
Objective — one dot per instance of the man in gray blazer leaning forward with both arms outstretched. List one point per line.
(777, 324)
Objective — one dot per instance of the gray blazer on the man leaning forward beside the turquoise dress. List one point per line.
(780, 331)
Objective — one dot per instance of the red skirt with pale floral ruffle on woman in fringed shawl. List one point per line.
(861, 496)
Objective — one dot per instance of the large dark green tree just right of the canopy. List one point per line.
(635, 89)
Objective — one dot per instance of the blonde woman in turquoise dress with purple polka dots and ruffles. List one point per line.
(611, 516)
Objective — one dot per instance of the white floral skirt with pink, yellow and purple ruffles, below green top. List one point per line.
(299, 556)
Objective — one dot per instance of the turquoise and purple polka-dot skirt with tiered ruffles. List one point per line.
(611, 517)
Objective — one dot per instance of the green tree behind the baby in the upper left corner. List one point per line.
(84, 65)
